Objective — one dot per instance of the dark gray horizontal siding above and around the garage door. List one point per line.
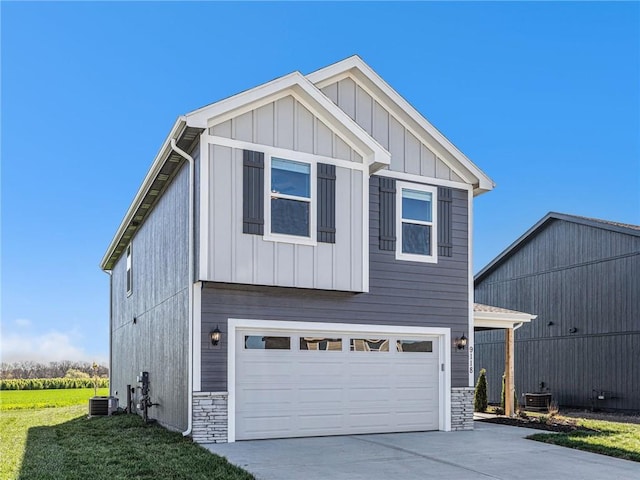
(401, 293)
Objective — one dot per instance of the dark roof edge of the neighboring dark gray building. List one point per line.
(617, 227)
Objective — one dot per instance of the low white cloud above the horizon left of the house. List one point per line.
(44, 348)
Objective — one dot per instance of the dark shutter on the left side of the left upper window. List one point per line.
(253, 192)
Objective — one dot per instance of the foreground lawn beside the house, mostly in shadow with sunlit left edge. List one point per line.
(62, 443)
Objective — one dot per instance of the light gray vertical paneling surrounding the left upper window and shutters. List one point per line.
(236, 257)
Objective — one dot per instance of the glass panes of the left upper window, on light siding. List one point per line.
(290, 198)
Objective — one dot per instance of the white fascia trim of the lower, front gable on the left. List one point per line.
(312, 98)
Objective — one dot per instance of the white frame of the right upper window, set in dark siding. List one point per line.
(400, 255)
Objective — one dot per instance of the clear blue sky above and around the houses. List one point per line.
(544, 97)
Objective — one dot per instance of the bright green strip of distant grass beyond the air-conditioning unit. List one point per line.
(29, 399)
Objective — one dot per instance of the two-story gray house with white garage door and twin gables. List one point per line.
(297, 262)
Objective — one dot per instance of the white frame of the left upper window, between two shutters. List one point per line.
(281, 237)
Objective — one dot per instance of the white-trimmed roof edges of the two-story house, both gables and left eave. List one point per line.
(305, 89)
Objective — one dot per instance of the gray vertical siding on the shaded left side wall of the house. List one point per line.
(158, 340)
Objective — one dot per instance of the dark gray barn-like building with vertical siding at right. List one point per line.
(582, 277)
